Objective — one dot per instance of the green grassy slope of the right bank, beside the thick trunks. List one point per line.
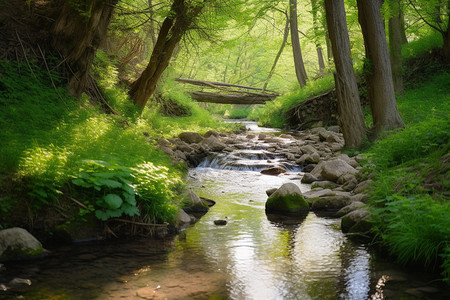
(410, 187)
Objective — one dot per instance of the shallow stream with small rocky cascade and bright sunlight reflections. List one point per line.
(250, 257)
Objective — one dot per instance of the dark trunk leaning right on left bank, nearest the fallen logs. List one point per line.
(172, 30)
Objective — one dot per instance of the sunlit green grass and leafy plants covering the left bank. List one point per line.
(57, 146)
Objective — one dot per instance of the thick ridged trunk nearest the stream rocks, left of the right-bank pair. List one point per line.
(351, 117)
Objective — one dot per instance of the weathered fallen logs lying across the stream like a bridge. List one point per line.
(230, 93)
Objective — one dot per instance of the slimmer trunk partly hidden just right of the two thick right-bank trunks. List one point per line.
(395, 45)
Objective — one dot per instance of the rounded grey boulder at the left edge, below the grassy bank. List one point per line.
(17, 243)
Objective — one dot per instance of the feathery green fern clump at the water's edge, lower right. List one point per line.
(416, 229)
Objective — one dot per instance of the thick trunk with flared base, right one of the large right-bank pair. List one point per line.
(380, 86)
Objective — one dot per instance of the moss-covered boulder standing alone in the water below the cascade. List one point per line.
(287, 199)
